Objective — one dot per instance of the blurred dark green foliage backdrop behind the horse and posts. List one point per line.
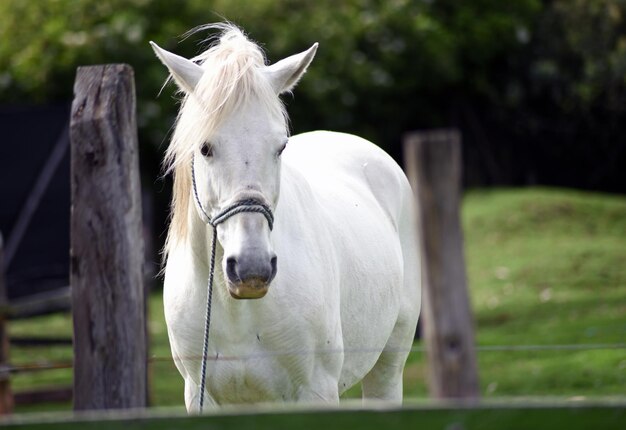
(538, 88)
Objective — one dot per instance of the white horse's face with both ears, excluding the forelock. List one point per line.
(240, 160)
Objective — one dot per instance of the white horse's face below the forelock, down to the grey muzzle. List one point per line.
(242, 162)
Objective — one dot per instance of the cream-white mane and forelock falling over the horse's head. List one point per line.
(232, 77)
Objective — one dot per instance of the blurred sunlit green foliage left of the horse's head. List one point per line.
(42, 43)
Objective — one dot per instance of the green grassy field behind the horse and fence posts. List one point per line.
(545, 267)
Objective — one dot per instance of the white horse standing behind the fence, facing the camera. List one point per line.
(337, 280)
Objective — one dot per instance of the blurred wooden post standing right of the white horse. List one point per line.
(433, 164)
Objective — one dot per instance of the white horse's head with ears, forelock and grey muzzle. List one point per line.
(232, 128)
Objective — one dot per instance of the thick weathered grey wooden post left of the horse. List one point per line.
(107, 257)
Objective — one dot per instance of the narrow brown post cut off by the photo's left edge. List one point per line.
(6, 396)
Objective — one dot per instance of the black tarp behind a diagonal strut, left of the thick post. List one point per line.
(27, 138)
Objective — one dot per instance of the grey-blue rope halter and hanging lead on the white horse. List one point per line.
(246, 205)
